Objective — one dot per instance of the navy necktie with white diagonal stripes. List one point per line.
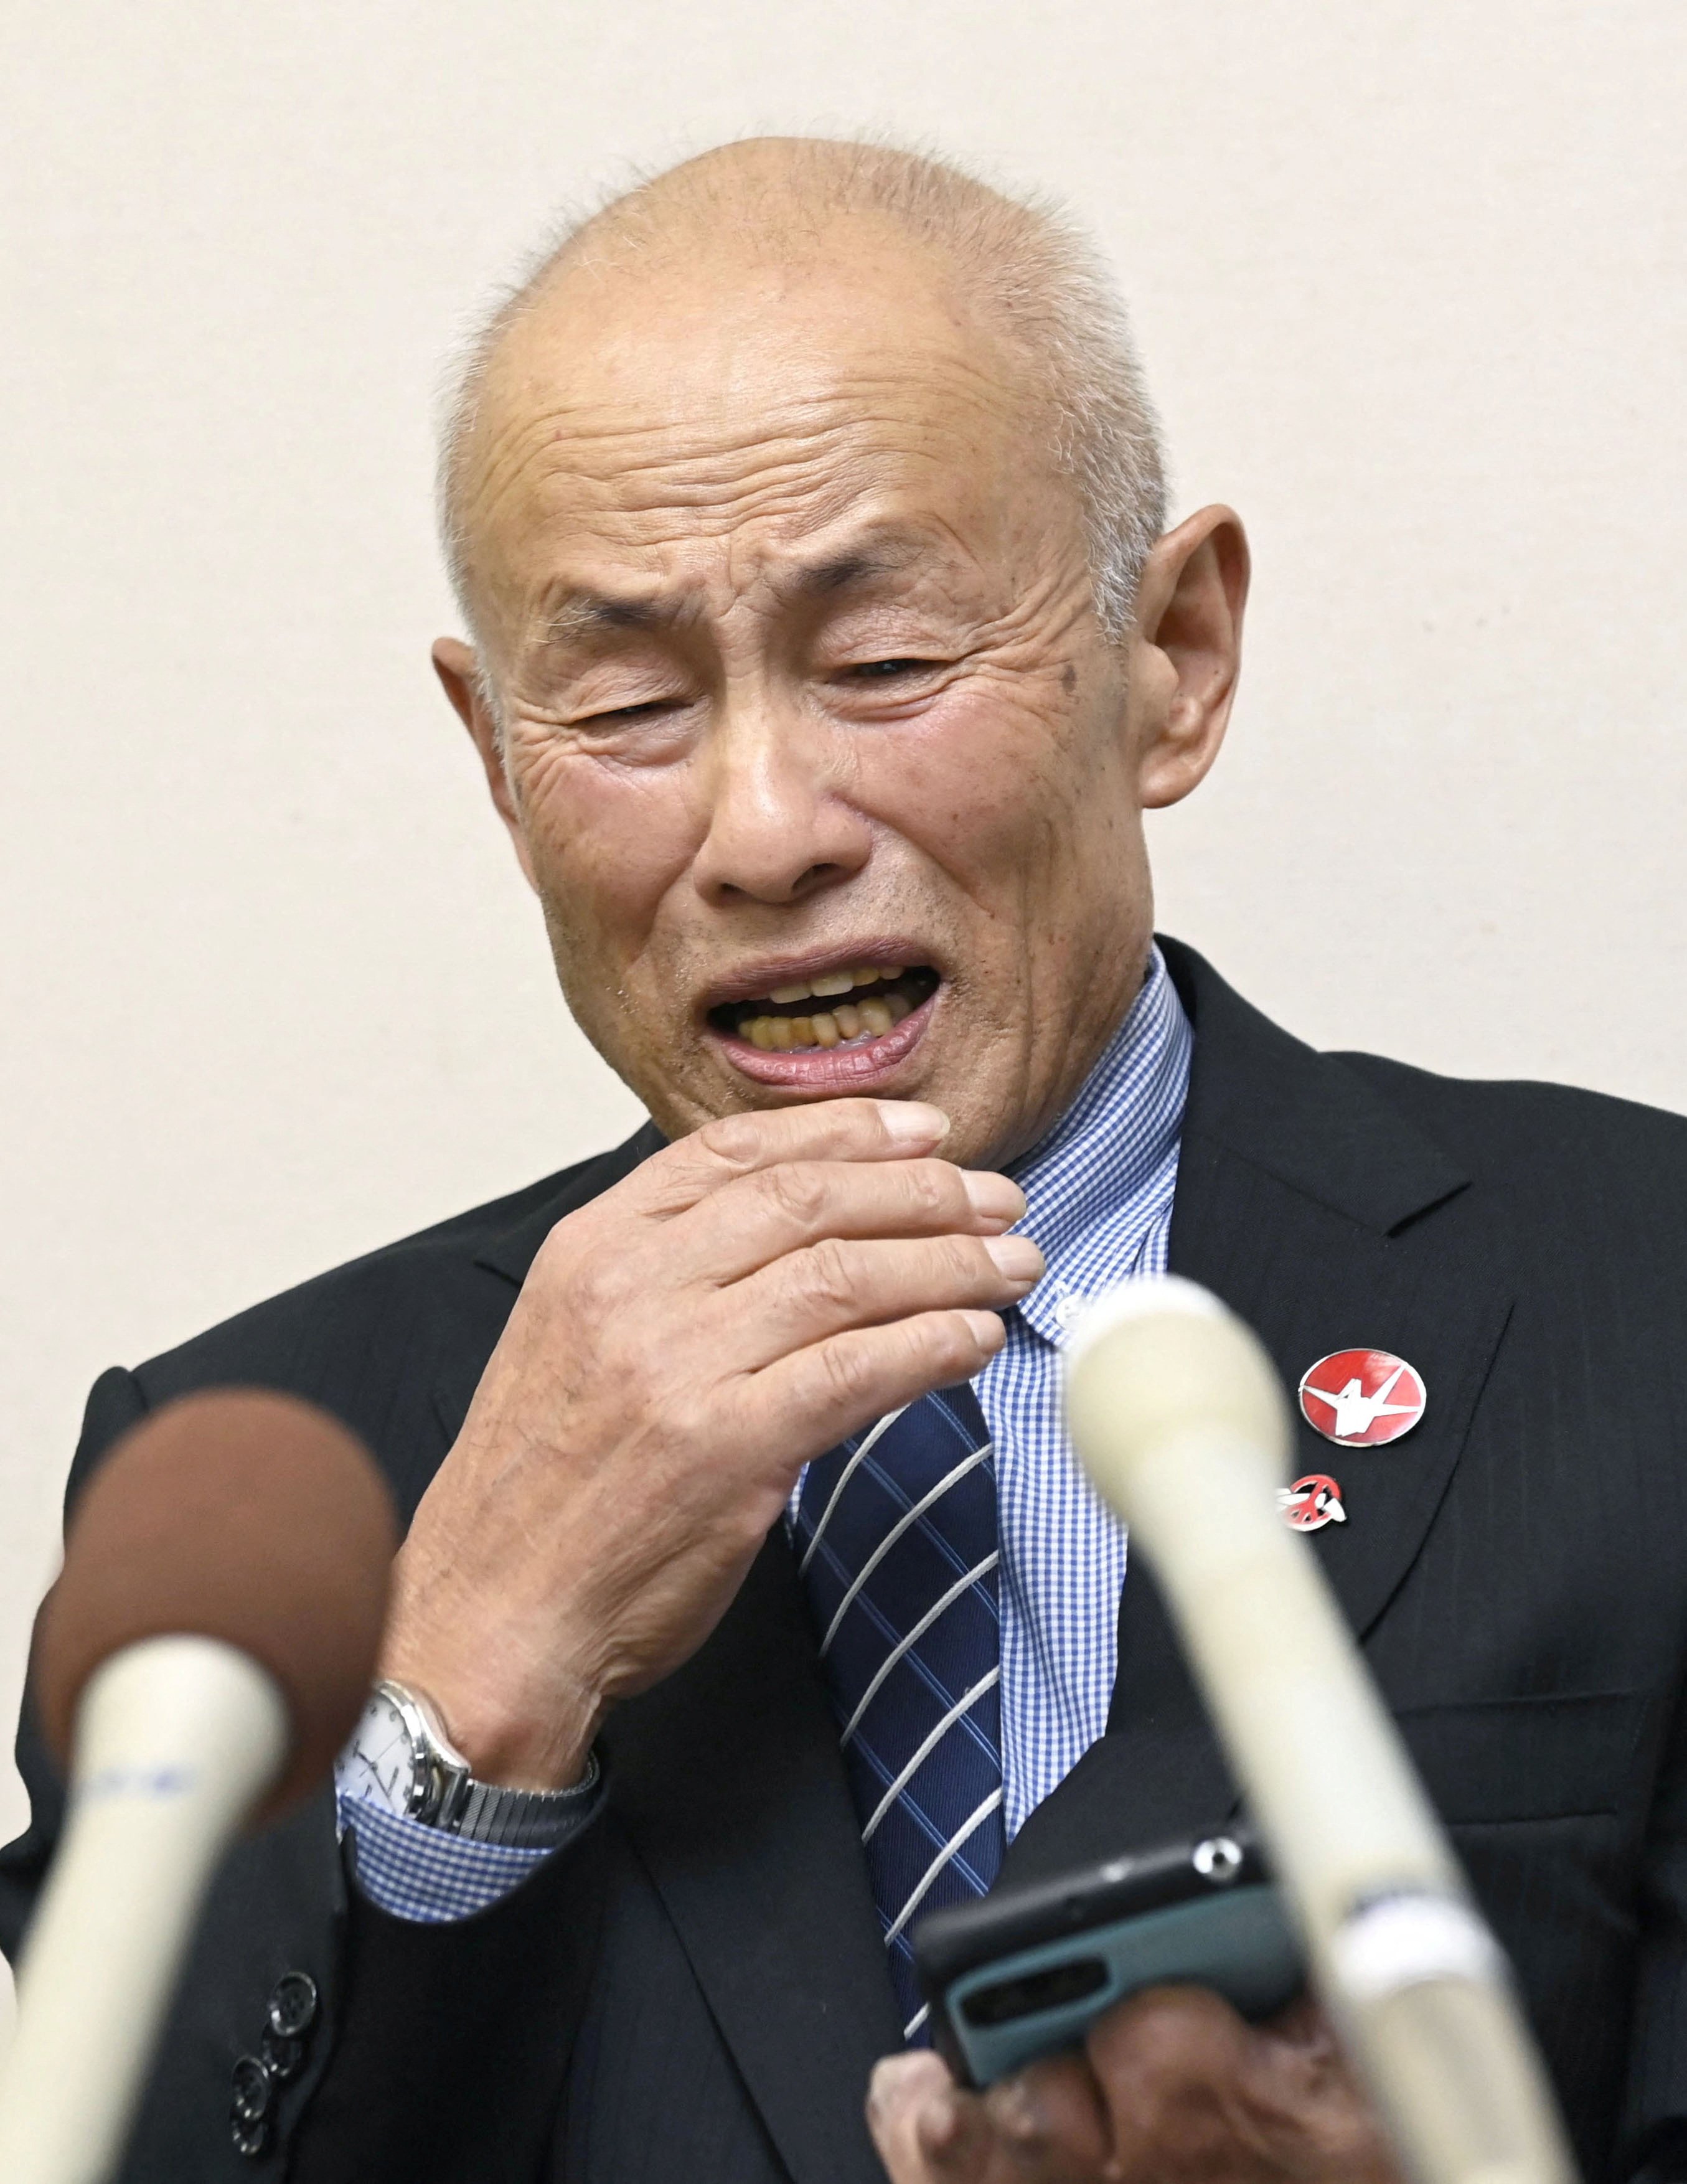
(898, 1547)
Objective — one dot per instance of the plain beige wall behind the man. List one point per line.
(1411, 289)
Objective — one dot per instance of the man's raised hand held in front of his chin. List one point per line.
(680, 1351)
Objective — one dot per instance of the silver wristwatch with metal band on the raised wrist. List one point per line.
(403, 1759)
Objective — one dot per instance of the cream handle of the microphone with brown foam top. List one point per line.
(176, 1744)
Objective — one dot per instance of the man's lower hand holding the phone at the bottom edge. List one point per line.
(1171, 2089)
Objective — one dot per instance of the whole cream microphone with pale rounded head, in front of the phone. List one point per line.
(1180, 1419)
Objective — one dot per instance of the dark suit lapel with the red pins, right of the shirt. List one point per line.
(1328, 1222)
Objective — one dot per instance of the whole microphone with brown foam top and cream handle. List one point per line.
(198, 1665)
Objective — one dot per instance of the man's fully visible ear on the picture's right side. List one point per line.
(1188, 652)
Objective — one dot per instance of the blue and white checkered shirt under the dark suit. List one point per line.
(1099, 1196)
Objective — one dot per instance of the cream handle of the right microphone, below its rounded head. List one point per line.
(1409, 1969)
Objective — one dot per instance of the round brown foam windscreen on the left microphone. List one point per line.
(235, 1515)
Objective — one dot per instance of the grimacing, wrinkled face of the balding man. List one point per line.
(822, 768)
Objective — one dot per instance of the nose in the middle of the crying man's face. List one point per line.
(780, 822)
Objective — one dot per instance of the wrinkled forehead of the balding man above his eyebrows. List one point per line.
(660, 412)
